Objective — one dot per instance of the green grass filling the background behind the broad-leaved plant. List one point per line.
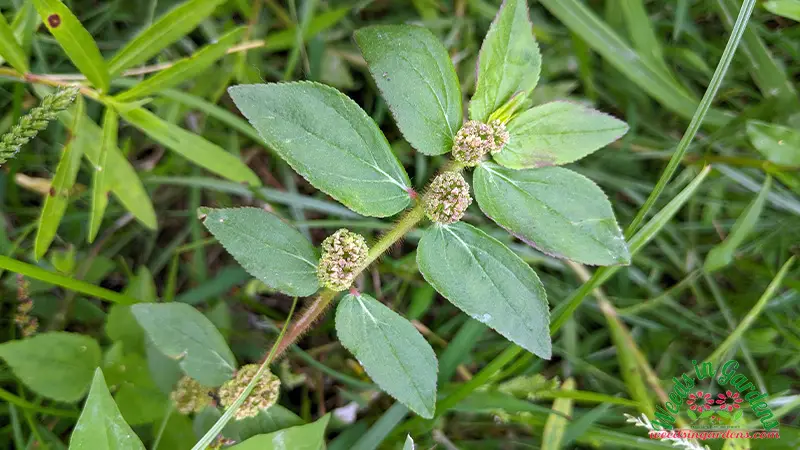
(648, 62)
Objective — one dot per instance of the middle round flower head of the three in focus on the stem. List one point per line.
(447, 198)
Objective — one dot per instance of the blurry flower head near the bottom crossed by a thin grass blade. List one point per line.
(264, 394)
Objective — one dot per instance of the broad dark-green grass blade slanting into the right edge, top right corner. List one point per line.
(767, 73)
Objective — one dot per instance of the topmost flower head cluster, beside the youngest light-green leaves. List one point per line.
(475, 139)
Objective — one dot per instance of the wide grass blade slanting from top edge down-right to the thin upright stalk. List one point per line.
(602, 38)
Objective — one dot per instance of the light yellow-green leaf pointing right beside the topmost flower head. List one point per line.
(557, 133)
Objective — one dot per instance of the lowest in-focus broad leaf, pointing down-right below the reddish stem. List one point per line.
(391, 350)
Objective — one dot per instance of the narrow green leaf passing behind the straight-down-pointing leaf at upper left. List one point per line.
(124, 181)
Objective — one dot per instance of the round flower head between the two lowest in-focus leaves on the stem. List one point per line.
(343, 253)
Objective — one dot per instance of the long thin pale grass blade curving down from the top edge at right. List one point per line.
(698, 117)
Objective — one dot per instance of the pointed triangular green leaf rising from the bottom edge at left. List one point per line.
(101, 426)
